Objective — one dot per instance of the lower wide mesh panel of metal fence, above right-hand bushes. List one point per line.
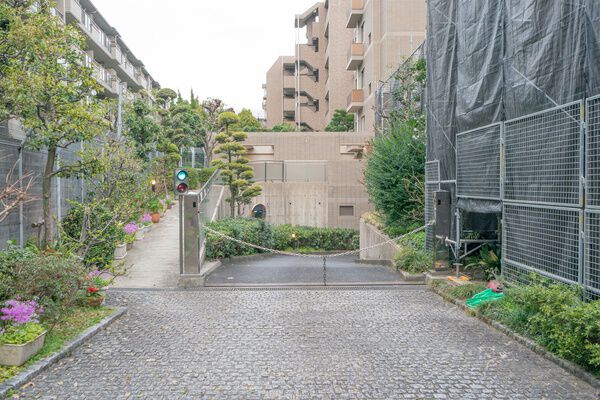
(542, 239)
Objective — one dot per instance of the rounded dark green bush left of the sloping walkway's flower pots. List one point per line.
(104, 231)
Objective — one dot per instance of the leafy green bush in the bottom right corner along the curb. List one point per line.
(555, 317)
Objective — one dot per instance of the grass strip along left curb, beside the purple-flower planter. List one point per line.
(78, 321)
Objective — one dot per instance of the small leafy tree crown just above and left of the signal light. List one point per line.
(141, 127)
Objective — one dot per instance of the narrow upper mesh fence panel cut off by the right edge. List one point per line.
(593, 153)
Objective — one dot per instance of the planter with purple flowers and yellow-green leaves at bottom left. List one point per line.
(21, 336)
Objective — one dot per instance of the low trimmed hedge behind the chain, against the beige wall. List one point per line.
(259, 232)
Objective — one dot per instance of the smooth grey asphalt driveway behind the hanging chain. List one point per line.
(293, 271)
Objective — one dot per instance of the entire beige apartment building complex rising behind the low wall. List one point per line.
(351, 46)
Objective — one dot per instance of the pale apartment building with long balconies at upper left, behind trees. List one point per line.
(113, 62)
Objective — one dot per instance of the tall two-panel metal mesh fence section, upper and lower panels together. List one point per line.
(543, 195)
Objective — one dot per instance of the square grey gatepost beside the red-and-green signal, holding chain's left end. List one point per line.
(189, 235)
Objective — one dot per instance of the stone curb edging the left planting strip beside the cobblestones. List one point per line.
(42, 365)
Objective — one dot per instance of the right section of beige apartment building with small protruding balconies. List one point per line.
(385, 32)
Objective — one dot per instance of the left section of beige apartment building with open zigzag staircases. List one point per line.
(305, 89)
